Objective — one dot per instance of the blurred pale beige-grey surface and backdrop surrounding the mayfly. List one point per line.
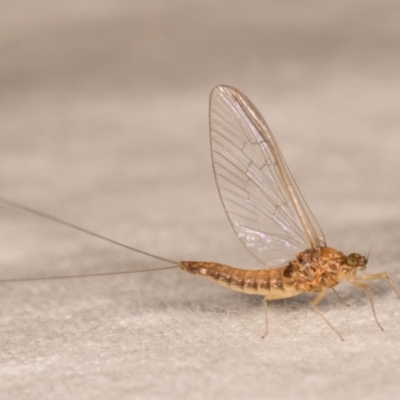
(104, 122)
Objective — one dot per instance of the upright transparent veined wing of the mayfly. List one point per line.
(260, 197)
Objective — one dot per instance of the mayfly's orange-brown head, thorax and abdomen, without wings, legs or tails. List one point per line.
(313, 270)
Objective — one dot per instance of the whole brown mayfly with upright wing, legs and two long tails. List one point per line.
(267, 212)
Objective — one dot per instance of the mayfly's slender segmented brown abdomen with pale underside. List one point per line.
(270, 283)
